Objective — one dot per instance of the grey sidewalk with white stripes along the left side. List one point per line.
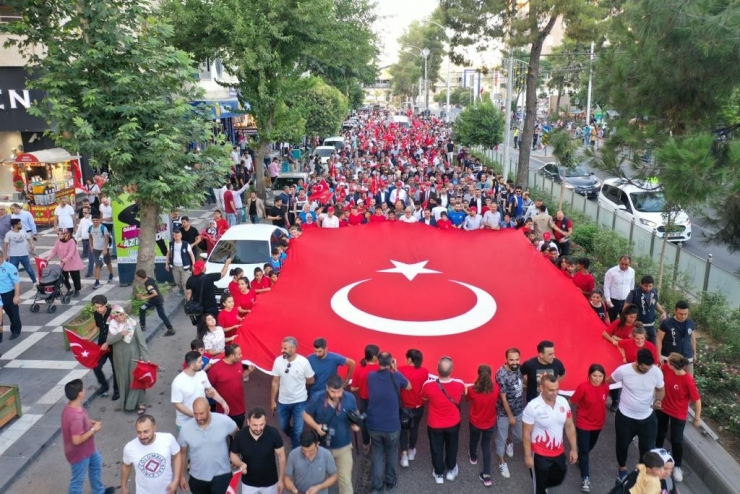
(38, 362)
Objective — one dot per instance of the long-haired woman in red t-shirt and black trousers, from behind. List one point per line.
(482, 396)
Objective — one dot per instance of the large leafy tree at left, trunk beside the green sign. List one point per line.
(115, 90)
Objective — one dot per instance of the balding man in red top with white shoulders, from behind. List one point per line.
(444, 395)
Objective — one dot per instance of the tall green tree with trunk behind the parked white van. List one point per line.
(269, 44)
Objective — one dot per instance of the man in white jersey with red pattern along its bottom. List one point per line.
(543, 421)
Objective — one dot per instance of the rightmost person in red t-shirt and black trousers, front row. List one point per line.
(680, 390)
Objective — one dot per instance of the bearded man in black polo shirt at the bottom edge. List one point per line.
(253, 451)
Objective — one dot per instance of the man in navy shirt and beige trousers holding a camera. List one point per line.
(326, 413)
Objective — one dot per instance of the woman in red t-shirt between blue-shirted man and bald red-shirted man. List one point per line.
(411, 399)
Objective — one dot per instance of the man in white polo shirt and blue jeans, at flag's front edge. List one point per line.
(290, 375)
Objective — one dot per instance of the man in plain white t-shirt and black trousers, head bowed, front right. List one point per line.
(642, 392)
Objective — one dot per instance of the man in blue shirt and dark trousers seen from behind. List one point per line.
(383, 421)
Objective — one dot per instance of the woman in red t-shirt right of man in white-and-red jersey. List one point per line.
(590, 399)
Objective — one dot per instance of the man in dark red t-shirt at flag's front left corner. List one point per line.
(227, 378)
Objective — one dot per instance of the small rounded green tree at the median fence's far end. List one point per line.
(479, 125)
